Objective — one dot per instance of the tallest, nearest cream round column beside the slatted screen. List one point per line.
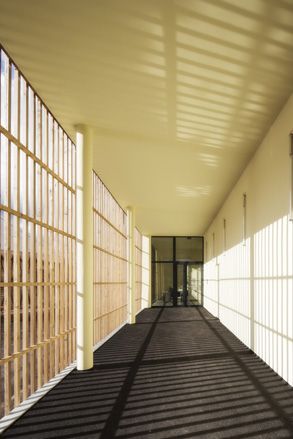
(84, 247)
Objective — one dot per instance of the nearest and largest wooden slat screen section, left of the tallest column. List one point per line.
(37, 241)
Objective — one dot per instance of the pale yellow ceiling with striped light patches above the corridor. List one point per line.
(180, 92)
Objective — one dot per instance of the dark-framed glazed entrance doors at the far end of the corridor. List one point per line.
(177, 267)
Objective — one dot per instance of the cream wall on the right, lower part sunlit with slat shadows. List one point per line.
(249, 287)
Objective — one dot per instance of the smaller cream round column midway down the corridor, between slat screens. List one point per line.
(131, 264)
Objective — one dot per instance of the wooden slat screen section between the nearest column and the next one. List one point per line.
(110, 262)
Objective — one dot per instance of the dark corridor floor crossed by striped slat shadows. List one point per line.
(177, 373)
